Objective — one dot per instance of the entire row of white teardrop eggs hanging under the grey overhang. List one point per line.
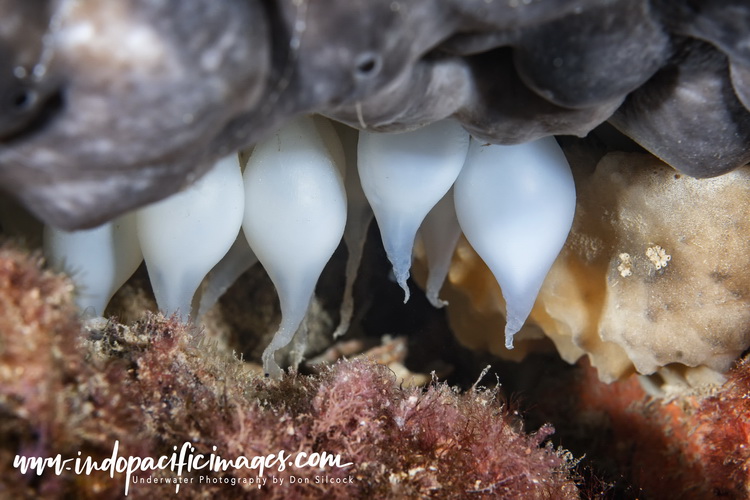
(314, 182)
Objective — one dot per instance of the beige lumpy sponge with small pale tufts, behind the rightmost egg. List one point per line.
(655, 272)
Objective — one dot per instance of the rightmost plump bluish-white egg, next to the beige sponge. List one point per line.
(515, 204)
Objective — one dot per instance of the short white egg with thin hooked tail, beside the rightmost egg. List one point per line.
(403, 176)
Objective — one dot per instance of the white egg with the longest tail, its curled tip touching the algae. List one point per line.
(294, 216)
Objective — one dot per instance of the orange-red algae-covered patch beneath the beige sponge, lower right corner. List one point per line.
(692, 447)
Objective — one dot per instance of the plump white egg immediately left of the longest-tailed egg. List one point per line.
(185, 235)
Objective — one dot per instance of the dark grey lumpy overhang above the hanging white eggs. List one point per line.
(110, 106)
